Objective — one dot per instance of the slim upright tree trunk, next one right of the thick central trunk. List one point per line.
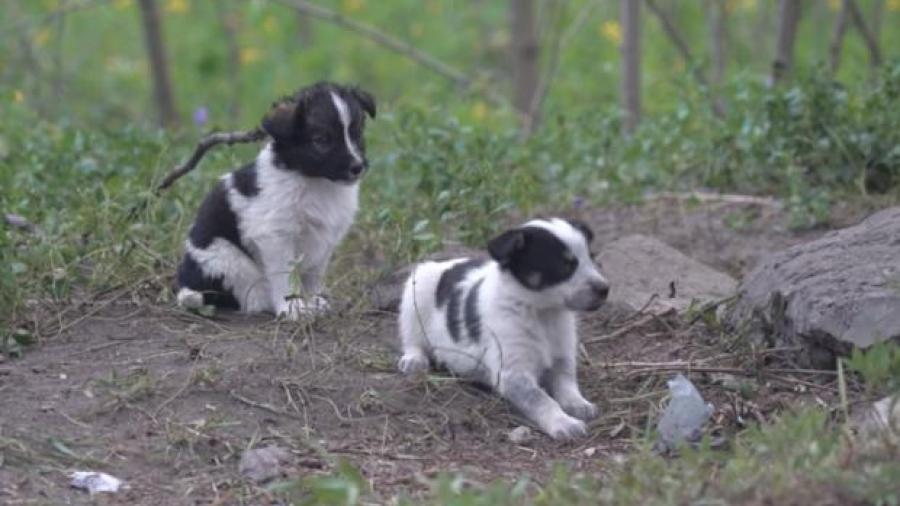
(631, 63)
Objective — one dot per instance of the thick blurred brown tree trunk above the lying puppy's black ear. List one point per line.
(524, 42)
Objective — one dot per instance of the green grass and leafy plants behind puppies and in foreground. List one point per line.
(80, 162)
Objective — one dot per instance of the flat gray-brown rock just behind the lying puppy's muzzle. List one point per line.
(639, 266)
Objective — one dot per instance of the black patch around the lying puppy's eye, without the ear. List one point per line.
(543, 258)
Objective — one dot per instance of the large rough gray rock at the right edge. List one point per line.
(829, 295)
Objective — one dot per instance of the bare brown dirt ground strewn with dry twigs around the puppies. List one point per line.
(168, 400)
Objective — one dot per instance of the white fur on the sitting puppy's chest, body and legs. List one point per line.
(293, 222)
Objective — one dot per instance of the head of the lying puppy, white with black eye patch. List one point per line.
(552, 259)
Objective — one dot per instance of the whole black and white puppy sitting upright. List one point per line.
(285, 212)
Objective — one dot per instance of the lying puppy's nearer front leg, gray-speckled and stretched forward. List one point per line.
(523, 391)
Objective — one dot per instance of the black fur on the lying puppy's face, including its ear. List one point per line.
(534, 256)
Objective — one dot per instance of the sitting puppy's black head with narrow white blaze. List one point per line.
(319, 131)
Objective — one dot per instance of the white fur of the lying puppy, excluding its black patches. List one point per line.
(526, 336)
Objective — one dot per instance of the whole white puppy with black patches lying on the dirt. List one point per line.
(509, 322)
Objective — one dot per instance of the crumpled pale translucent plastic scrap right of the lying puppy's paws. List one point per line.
(684, 417)
